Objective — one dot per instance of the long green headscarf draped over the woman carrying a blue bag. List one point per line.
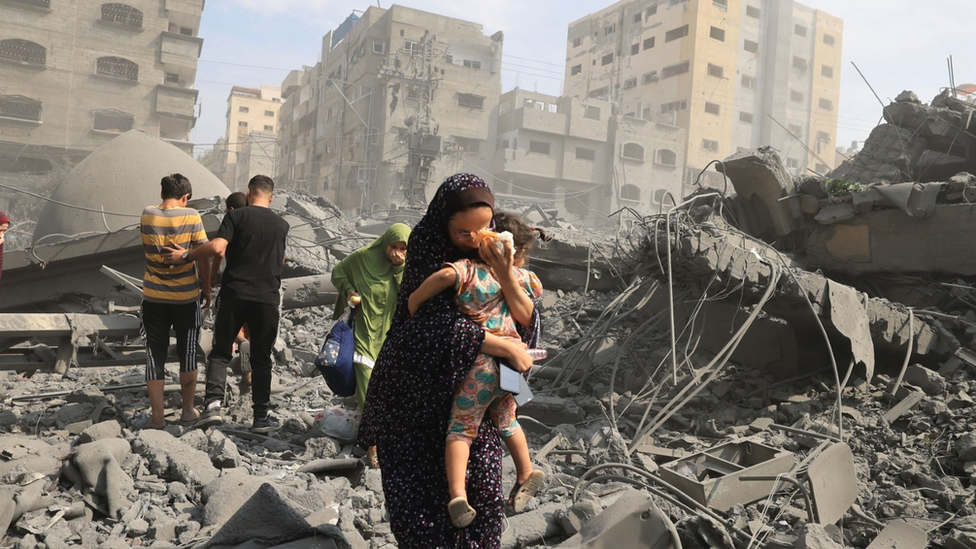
(369, 272)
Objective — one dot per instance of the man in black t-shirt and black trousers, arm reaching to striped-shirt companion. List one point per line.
(253, 241)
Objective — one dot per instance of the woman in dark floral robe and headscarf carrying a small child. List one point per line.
(422, 362)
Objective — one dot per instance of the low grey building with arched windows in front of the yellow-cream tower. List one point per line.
(587, 161)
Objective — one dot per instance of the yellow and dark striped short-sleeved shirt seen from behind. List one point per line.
(164, 283)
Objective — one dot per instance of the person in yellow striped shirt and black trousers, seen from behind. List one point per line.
(171, 294)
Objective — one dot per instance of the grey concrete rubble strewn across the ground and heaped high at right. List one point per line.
(779, 362)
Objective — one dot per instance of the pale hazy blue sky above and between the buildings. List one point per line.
(898, 44)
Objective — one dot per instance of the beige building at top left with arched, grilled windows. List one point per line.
(73, 75)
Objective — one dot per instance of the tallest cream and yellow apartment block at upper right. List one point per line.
(735, 73)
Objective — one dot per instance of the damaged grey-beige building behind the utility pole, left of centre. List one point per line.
(400, 99)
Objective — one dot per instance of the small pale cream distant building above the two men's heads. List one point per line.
(248, 110)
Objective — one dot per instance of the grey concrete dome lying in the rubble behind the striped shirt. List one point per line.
(120, 177)
